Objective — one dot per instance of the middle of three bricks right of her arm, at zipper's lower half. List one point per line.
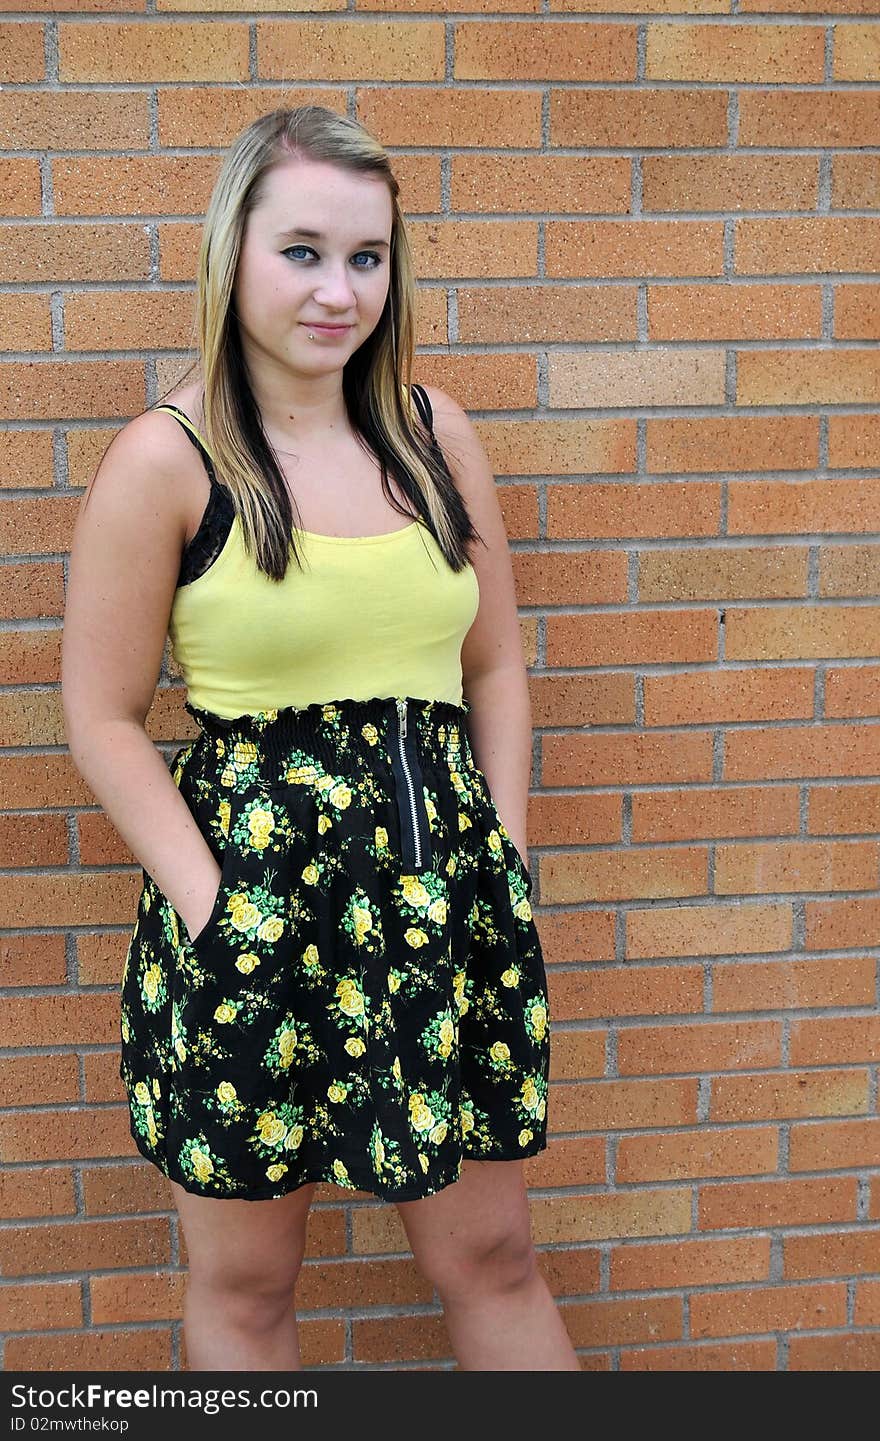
(696, 815)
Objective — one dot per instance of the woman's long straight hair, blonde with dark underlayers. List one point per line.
(377, 381)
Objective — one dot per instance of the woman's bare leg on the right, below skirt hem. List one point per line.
(473, 1240)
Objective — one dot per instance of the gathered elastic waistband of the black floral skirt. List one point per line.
(331, 730)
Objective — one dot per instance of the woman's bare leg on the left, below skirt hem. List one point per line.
(244, 1260)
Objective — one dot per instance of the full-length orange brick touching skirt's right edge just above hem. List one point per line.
(623, 1105)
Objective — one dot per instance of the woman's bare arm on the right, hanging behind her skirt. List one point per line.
(495, 679)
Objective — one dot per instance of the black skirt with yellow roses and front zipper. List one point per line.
(368, 1001)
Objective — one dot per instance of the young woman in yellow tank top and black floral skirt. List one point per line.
(335, 973)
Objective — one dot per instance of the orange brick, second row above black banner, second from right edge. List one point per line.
(768, 1309)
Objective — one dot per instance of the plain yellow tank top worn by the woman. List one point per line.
(368, 616)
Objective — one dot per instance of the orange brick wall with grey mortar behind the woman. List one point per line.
(649, 254)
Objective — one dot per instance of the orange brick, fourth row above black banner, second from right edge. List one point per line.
(778, 1204)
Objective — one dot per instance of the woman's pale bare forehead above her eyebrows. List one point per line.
(325, 198)
